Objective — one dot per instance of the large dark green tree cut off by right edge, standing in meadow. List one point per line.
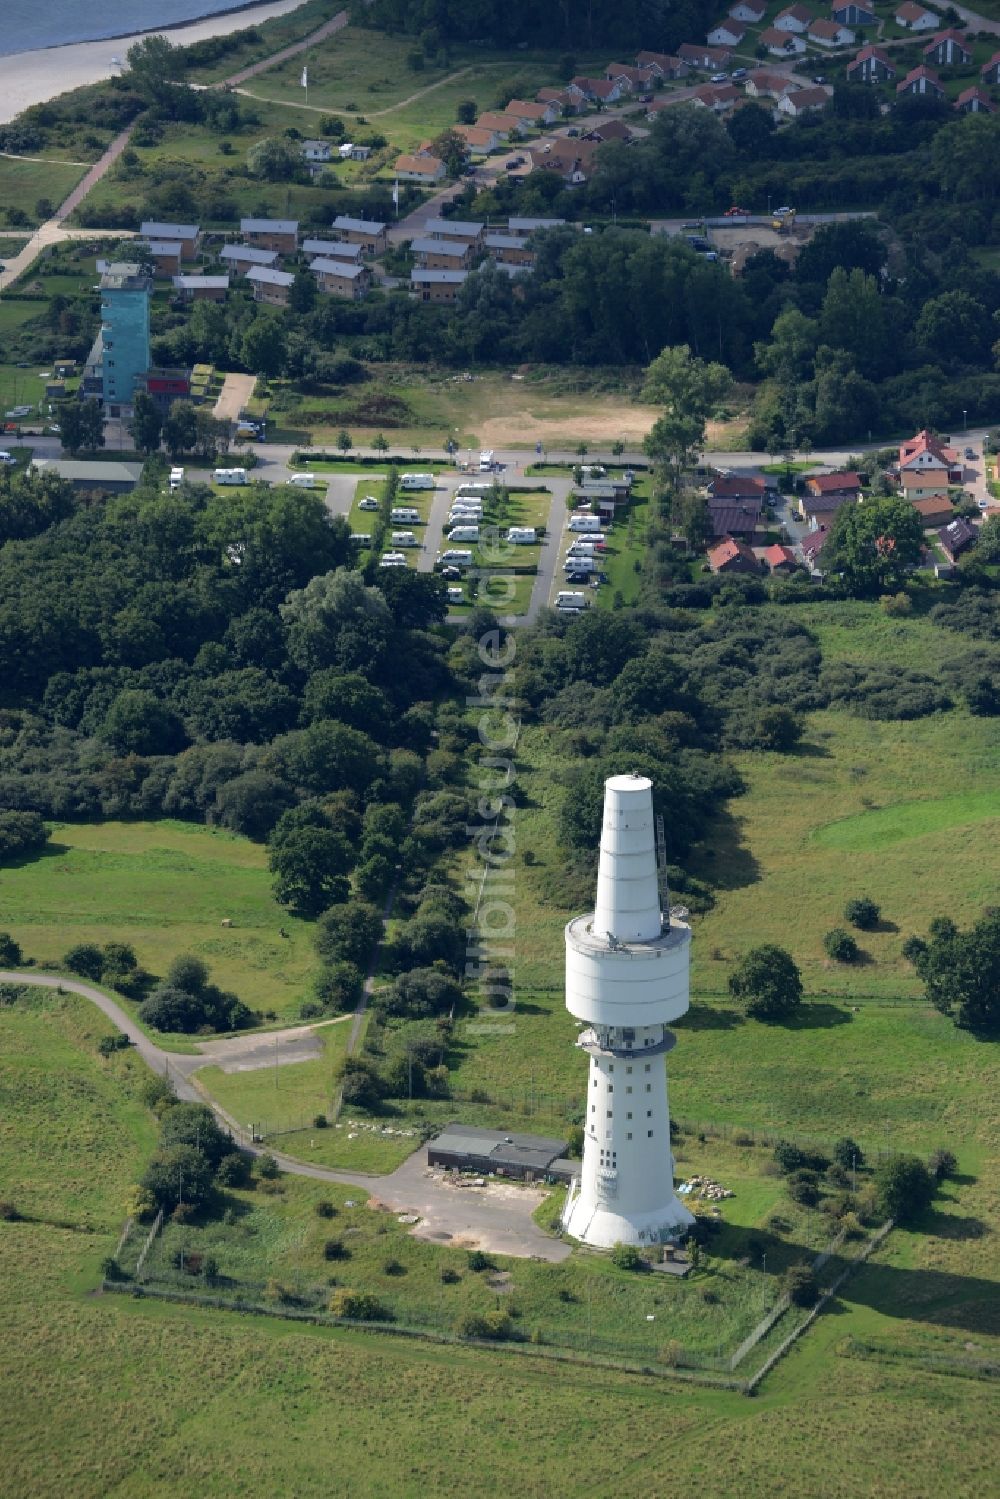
(962, 971)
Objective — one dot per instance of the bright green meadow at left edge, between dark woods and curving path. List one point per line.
(166, 888)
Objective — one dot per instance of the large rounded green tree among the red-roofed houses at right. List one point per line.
(875, 546)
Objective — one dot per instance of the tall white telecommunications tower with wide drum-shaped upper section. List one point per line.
(627, 975)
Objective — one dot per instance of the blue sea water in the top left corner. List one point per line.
(28, 25)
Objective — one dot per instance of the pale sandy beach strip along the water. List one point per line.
(34, 77)
